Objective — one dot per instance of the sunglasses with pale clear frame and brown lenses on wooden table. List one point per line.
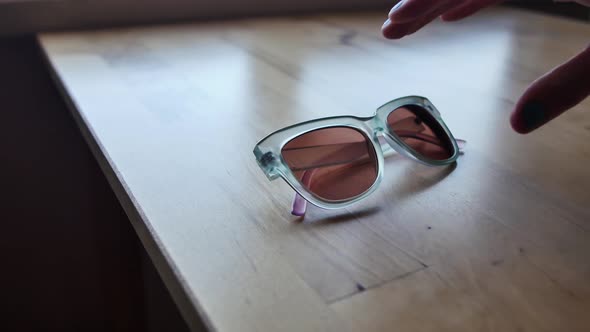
(337, 161)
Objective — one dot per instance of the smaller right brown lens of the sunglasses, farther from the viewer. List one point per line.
(419, 130)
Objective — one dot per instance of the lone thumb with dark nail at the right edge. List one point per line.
(554, 93)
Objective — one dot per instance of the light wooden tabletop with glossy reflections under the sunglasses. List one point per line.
(501, 242)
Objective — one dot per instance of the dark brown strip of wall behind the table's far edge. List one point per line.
(36, 15)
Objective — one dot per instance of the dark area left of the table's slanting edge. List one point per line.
(70, 258)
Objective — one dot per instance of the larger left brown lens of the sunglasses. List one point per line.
(335, 164)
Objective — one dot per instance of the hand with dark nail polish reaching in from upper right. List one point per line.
(548, 97)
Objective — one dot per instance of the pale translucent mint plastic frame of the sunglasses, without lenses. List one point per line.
(269, 157)
